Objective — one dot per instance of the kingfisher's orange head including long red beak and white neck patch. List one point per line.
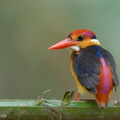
(77, 39)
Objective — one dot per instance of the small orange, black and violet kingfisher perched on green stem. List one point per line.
(93, 67)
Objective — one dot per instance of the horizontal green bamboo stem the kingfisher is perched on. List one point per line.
(18, 109)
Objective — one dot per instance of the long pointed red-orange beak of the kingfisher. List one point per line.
(63, 44)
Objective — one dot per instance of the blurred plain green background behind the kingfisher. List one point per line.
(29, 27)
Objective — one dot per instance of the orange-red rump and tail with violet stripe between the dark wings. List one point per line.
(105, 86)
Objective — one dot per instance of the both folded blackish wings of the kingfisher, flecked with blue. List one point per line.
(87, 67)
